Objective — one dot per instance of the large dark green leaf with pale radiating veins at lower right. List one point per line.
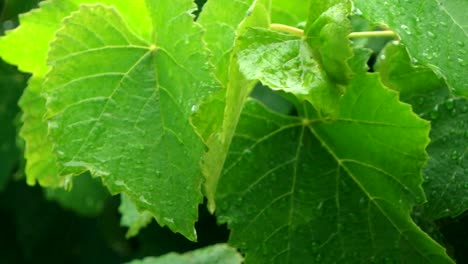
(329, 190)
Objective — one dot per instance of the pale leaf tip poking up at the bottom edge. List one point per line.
(210, 255)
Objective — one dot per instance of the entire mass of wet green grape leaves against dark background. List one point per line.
(319, 131)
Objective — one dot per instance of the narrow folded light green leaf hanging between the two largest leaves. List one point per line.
(217, 118)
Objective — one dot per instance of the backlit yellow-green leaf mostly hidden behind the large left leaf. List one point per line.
(16, 48)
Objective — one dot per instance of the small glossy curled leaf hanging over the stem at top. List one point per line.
(327, 32)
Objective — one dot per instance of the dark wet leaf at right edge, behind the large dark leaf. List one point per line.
(445, 172)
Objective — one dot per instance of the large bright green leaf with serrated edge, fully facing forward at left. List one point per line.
(119, 106)
